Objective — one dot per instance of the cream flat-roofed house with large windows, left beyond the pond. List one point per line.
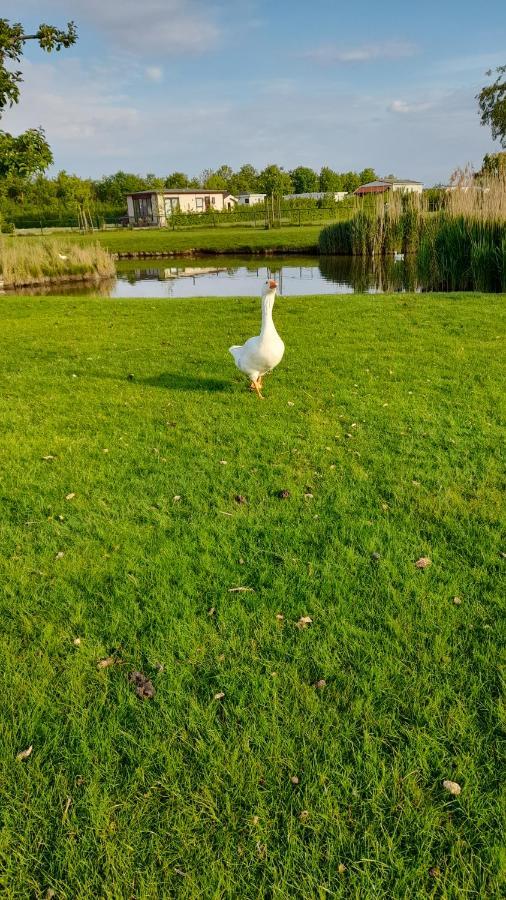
(156, 207)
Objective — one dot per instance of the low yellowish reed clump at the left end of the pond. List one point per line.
(34, 261)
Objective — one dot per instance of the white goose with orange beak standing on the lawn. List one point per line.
(261, 354)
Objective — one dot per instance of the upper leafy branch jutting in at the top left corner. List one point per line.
(12, 41)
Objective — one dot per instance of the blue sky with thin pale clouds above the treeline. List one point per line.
(184, 85)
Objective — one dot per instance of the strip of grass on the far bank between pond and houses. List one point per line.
(232, 239)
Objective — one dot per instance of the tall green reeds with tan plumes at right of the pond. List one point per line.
(460, 246)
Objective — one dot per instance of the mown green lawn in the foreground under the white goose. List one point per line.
(384, 424)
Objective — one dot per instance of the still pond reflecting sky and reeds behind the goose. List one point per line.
(224, 276)
